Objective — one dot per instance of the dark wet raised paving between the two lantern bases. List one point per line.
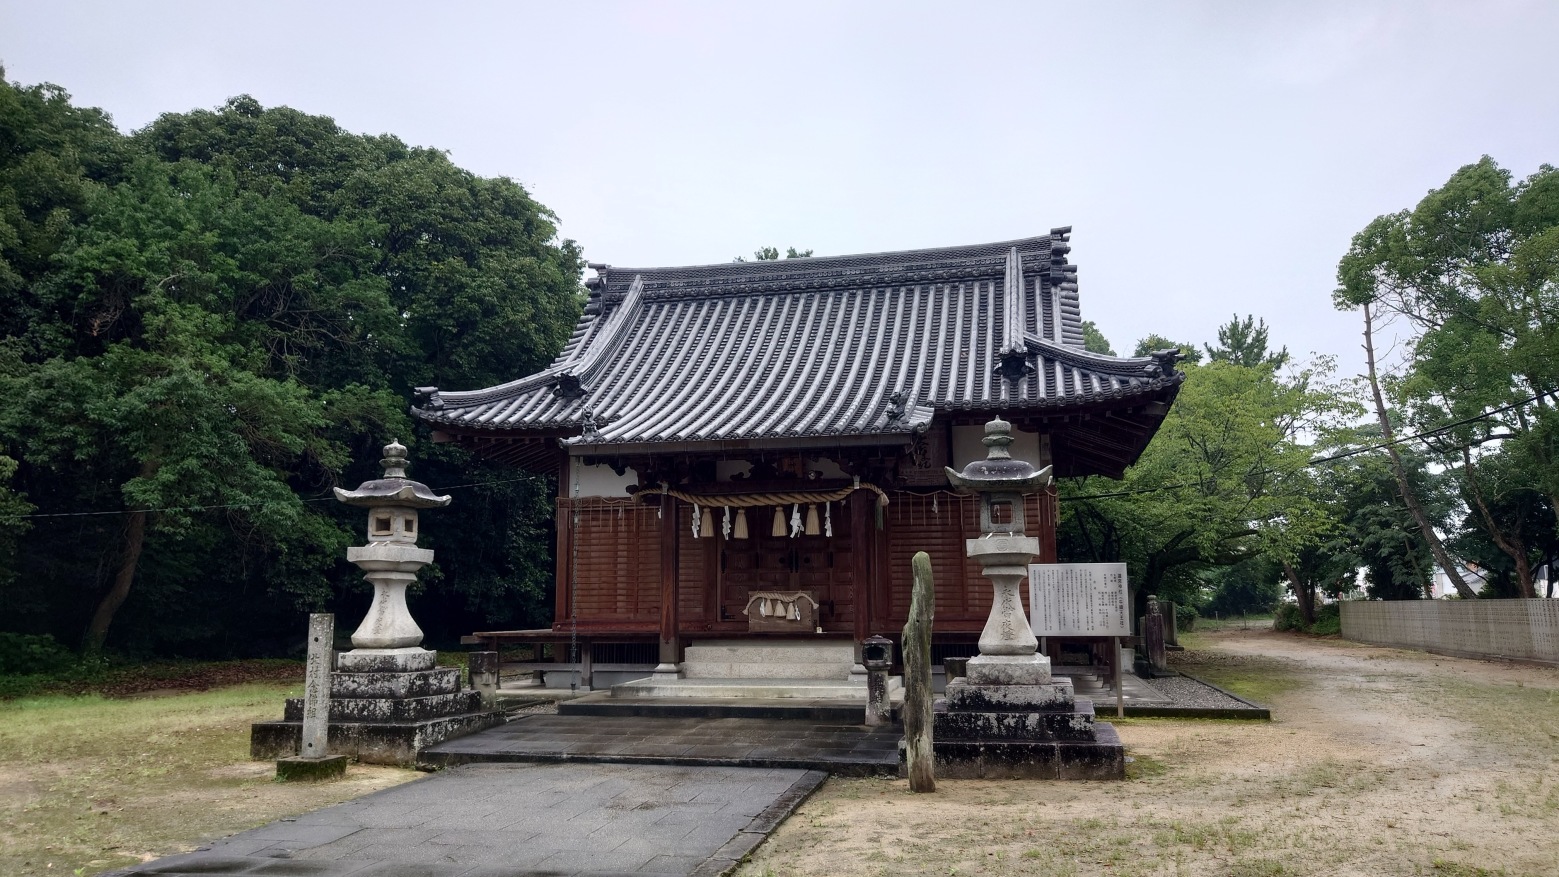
(835, 747)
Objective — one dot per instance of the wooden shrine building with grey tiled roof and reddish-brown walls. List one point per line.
(754, 451)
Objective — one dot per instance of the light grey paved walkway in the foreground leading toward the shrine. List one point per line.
(521, 822)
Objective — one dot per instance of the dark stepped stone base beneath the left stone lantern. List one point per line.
(386, 705)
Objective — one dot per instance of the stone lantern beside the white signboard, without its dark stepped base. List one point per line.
(1008, 649)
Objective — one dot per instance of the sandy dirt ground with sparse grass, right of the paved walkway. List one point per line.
(1376, 763)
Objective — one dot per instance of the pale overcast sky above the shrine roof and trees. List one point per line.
(1212, 158)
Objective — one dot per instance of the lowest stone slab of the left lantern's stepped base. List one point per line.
(375, 744)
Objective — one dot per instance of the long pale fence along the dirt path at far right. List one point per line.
(1513, 630)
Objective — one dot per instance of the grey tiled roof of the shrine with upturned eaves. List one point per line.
(838, 347)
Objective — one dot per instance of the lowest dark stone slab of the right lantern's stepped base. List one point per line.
(1072, 761)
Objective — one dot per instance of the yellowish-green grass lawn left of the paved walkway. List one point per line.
(90, 784)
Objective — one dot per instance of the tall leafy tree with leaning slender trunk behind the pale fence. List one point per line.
(1474, 272)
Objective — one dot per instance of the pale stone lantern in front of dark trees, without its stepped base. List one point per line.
(391, 558)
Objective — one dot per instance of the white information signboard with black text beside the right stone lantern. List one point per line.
(1080, 601)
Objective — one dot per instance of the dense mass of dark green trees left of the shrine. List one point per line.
(228, 322)
